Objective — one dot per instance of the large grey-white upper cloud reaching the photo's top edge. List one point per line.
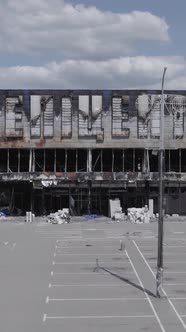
(78, 32)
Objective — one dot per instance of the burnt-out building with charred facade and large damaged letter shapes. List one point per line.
(80, 148)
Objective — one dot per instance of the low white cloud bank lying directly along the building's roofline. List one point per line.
(124, 73)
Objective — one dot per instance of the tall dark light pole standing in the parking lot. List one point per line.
(159, 276)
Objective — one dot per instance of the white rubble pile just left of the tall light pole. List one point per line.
(138, 215)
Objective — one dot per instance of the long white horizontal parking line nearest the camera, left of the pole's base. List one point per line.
(45, 317)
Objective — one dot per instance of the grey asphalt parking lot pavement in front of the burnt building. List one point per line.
(94, 275)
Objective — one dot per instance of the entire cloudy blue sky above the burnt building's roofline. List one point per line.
(98, 44)
